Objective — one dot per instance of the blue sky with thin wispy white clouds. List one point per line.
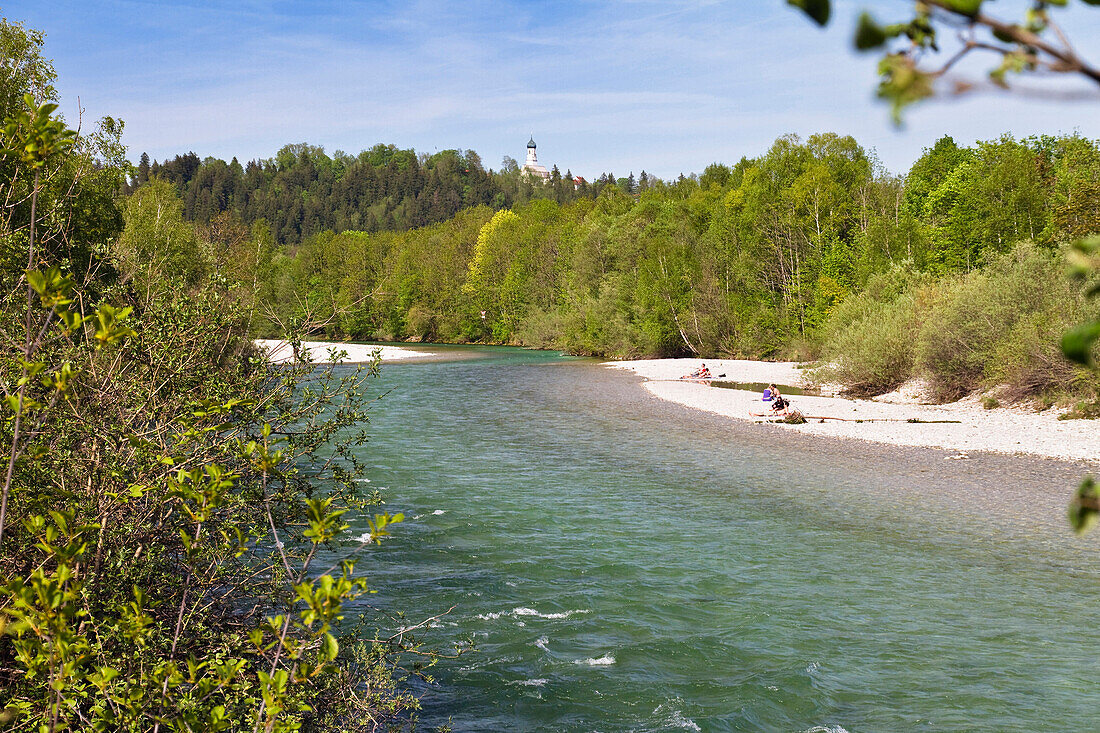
(669, 86)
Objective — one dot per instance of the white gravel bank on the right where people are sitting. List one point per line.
(1002, 430)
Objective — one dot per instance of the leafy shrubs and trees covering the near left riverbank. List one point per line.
(170, 501)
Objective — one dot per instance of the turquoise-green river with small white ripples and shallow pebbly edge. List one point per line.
(629, 565)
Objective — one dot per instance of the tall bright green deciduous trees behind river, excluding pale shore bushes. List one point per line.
(751, 260)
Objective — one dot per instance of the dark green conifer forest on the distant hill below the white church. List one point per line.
(303, 192)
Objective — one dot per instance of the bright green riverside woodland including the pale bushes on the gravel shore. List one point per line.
(811, 250)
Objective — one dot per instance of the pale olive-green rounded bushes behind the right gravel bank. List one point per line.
(999, 326)
